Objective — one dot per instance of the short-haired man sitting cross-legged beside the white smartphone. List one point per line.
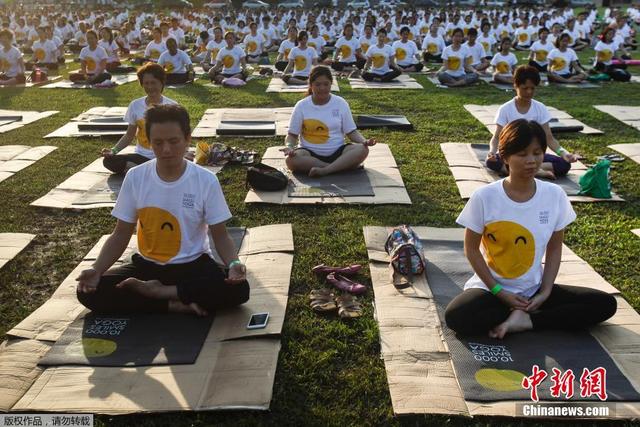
(174, 205)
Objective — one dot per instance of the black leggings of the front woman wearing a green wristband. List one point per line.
(476, 311)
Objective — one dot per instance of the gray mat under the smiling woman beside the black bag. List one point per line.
(343, 184)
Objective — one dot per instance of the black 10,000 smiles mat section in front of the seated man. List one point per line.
(130, 340)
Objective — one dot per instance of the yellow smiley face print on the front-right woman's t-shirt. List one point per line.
(510, 248)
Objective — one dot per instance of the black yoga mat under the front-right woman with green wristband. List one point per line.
(492, 370)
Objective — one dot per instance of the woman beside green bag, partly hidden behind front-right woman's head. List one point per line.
(523, 106)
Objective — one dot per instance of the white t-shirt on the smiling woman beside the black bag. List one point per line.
(321, 128)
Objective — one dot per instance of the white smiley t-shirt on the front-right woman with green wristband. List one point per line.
(515, 235)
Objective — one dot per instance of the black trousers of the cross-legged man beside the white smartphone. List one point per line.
(200, 281)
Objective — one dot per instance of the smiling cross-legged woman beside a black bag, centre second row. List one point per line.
(319, 122)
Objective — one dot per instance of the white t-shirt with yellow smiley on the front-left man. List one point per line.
(172, 217)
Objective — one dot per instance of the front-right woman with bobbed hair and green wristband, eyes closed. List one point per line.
(511, 225)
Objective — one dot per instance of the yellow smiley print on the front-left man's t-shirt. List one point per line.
(159, 235)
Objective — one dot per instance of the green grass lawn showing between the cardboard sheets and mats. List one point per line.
(329, 371)
